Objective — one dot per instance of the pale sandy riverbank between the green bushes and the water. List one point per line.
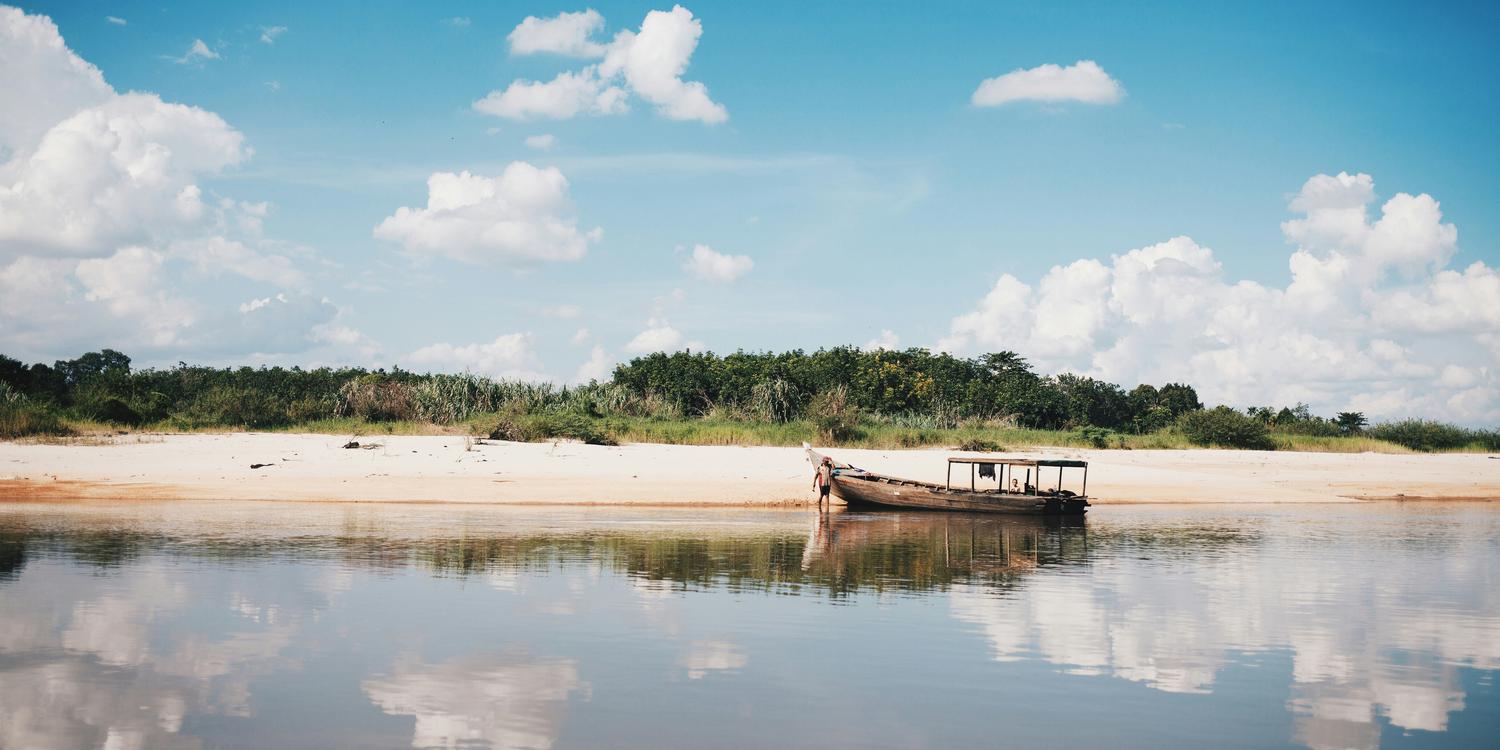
(439, 469)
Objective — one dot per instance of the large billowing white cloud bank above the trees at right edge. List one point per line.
(1370, 319)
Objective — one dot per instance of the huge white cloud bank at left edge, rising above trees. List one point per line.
(101, 217)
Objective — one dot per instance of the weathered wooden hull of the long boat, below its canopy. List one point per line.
(877, 491)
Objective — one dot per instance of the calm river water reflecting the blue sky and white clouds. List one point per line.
(421, 626)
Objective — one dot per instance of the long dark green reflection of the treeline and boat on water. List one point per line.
(832, 553)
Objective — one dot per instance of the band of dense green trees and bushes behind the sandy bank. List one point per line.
(832, 395)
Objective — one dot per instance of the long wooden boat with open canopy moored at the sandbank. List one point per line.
(857, 487)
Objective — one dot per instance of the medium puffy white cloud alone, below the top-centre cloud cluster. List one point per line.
(521, 217)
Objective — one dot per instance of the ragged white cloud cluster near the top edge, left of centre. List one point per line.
(649, 64)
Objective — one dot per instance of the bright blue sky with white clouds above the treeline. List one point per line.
(1274, 203)
